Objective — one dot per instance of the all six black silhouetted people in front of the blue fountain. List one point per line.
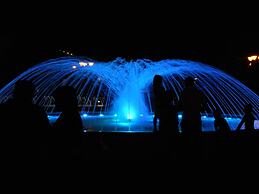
(27, 133)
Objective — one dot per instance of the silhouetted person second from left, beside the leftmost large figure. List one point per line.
(68, 127)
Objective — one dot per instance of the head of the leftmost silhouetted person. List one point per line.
(24, 90)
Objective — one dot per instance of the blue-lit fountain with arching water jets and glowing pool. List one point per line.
(117, 95)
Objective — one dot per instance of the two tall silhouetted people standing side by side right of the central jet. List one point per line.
(191, 103)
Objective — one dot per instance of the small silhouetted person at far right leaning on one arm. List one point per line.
(248, 119)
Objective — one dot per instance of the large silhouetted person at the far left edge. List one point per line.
(25, 125)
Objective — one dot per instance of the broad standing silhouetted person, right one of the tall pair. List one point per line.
(192, 103)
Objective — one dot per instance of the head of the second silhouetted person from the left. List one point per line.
(65, 98)
